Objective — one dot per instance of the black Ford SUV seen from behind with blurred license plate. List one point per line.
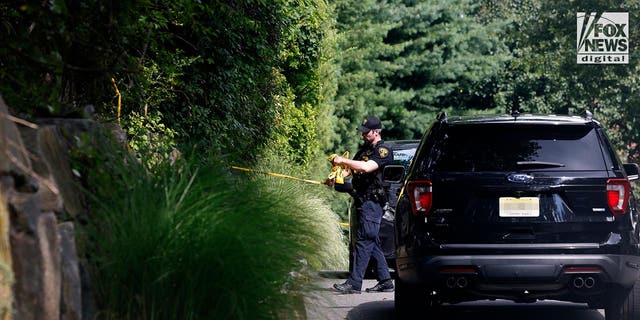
(518, 207)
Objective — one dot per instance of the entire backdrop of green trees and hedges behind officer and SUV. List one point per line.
(280, 84)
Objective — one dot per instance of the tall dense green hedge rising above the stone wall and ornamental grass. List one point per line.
(230, 76)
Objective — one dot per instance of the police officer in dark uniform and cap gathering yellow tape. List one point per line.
(367, 166)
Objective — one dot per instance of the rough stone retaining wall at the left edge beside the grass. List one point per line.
(39, 266)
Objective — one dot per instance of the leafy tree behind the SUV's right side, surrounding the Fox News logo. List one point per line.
(545, 78)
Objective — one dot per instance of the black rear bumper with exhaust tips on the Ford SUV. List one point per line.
(527, 277)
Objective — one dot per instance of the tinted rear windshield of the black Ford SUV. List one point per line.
(470, 148)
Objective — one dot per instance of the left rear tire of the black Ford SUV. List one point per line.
(412, 302)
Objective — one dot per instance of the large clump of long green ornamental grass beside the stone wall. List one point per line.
(192, 241)
